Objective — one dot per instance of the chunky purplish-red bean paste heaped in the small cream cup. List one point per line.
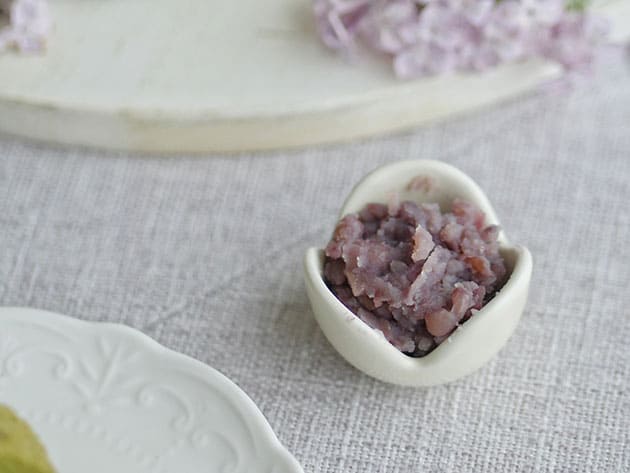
(413, 272)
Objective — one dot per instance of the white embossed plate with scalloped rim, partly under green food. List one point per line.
(105, 398)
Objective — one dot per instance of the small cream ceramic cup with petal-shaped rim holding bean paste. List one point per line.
(474, 342)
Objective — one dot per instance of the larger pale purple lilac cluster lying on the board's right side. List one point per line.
(430, 37)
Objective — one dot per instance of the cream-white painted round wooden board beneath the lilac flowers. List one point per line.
(219, 75)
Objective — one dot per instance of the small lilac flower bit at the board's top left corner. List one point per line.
(24, 24)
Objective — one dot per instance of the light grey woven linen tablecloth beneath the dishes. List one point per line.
(204, 255)
